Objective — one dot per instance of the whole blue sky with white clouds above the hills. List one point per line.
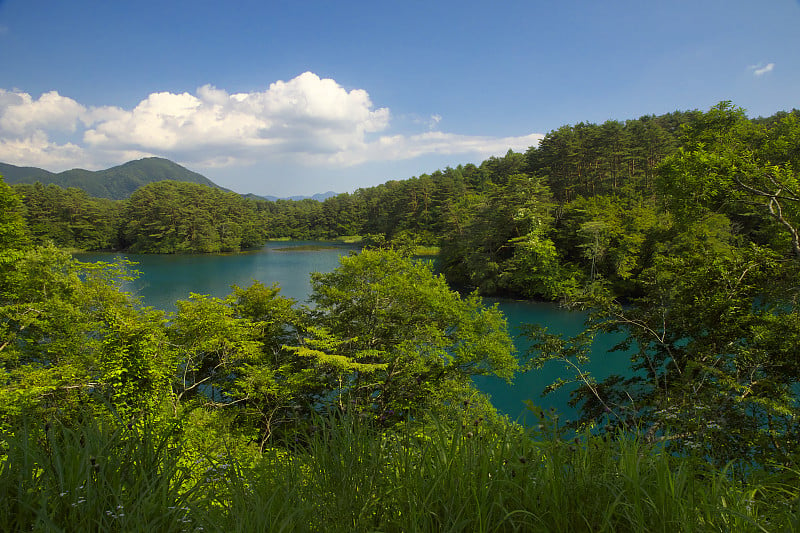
(298, 97)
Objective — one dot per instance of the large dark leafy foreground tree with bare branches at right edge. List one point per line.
(713, 332)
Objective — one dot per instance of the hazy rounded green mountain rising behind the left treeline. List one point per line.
(116, 183)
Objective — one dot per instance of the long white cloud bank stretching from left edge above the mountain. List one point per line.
(306, 120)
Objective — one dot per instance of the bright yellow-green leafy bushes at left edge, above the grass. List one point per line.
(62, 325)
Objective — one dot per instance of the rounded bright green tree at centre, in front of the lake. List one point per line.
(390, 335)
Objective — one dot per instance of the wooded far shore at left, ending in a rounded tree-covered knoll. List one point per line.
(161, 217)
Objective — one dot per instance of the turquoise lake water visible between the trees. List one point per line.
(164, 279)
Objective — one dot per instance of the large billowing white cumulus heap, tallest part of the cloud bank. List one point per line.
(304, 115)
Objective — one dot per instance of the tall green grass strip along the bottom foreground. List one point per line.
(104, 475)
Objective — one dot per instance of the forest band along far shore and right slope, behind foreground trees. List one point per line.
(585, 206)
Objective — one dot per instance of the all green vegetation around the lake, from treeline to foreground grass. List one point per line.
(680, 232)
